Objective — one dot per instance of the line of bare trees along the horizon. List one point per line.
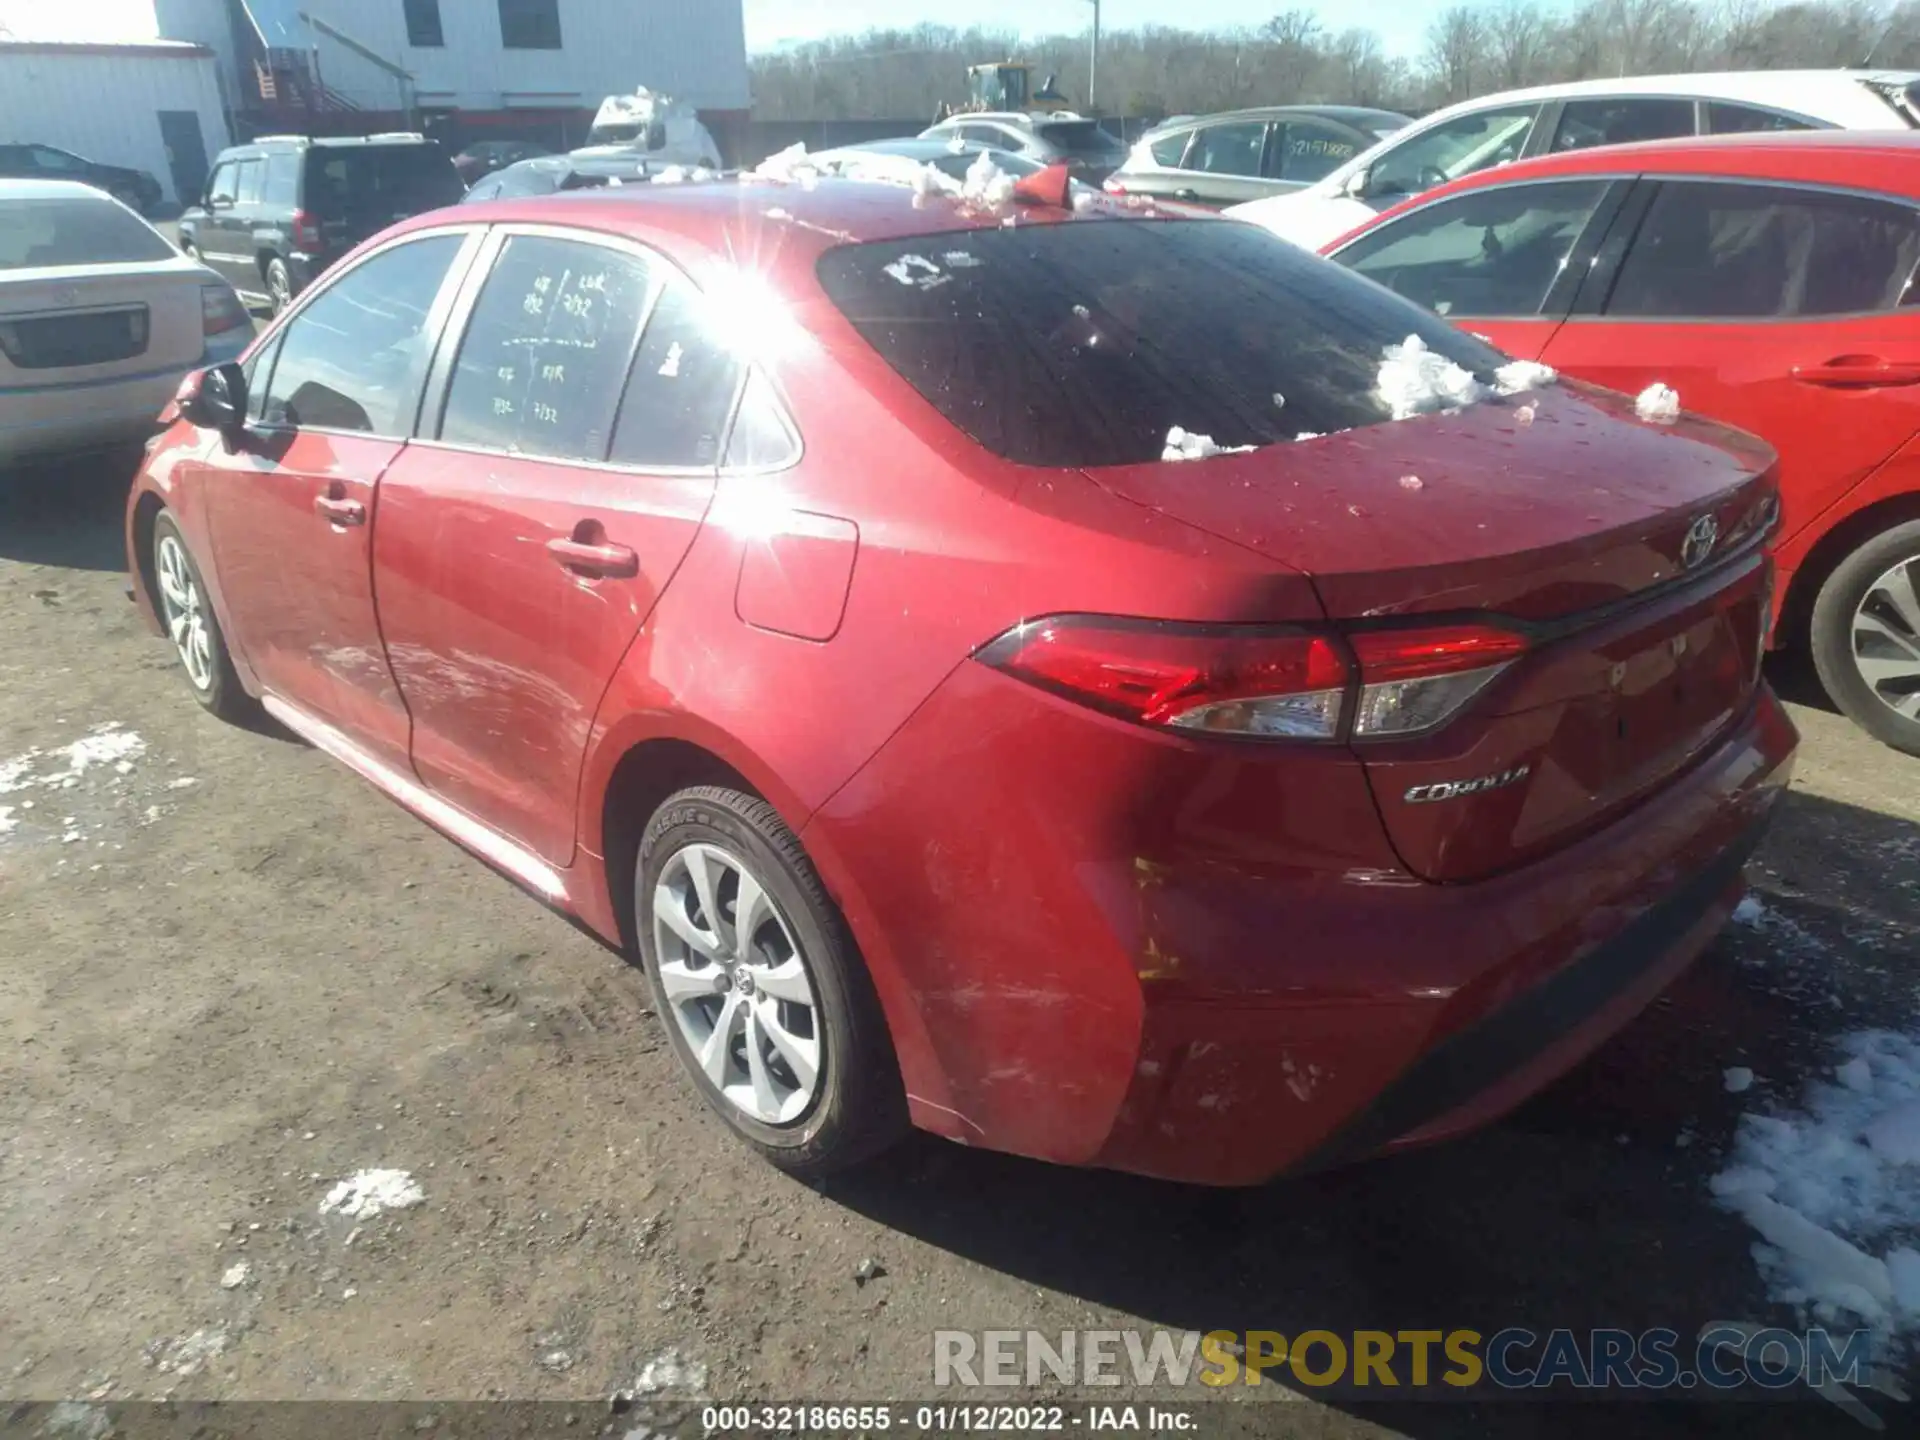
(1472, 49)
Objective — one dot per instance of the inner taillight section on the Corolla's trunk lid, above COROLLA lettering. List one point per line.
(1414, 681)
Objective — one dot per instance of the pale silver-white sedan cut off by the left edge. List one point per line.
(99, 322)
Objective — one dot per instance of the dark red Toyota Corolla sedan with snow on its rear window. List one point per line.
(913, 631)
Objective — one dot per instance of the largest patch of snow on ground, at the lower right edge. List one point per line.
(1835, 1189)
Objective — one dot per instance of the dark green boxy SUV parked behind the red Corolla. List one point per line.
(281, 210)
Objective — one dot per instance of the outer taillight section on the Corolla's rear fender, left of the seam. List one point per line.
(1211, 679)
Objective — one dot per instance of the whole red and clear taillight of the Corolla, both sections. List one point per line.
(1255, 681)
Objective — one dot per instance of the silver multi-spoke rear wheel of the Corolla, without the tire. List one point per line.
(738, 986)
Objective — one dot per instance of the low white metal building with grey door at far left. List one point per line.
(151, 107)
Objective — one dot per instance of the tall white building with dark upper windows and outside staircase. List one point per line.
(485, 59)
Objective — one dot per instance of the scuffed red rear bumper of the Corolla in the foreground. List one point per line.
(1168, 959)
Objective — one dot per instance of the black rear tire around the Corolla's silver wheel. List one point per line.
(857, 1107)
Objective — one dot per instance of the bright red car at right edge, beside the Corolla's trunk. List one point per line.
(1771, 281)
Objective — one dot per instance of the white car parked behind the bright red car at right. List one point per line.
(1502, 128)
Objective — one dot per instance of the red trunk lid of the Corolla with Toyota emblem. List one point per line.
(1625, 556)
